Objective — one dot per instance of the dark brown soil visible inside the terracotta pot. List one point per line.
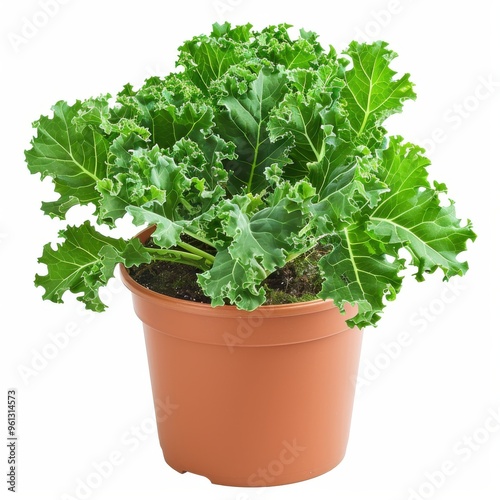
(297, 281)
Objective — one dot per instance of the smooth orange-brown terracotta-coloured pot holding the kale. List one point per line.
(249, 398)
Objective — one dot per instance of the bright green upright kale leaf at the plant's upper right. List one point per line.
(371, 92)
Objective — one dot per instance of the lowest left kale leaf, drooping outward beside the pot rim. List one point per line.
(84, 262)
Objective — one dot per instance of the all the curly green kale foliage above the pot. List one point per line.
(257, 149)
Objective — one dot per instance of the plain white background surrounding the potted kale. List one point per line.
(414, 408)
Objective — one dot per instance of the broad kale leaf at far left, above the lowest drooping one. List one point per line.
(75, 159)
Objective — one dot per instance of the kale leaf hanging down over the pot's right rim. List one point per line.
(357, 272)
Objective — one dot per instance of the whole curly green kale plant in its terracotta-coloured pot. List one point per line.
(272, 210)
